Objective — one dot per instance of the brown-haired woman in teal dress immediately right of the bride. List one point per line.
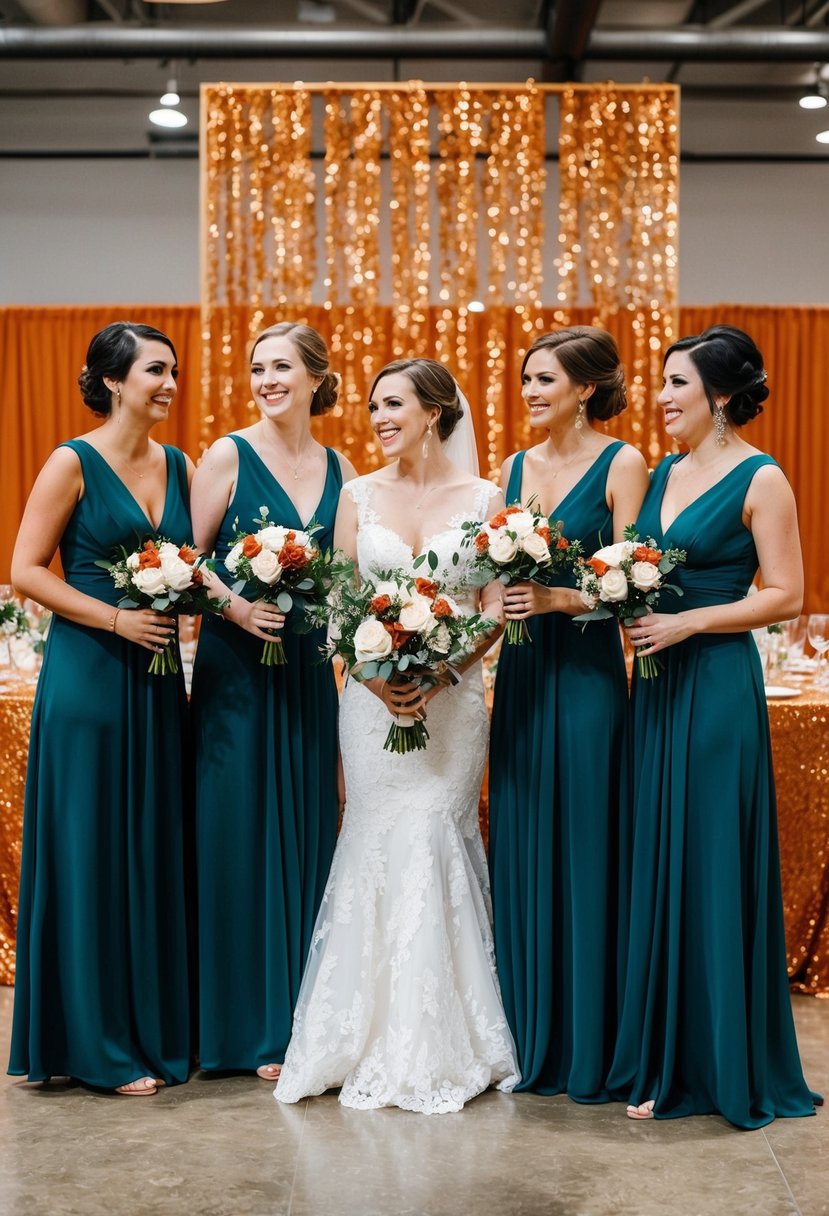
(559, 735)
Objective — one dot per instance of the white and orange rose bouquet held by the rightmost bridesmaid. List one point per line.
(625, 581)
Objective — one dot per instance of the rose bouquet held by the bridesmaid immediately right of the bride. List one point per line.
(520, 545)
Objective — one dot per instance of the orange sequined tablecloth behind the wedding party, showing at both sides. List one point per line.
(800, 742)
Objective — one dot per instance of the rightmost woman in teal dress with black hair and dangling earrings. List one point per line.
(707, 1021)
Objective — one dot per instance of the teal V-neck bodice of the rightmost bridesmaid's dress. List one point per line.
(723, 559)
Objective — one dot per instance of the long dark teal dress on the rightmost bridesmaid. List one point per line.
(707, 1021)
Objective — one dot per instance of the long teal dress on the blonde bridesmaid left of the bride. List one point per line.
(266, 806)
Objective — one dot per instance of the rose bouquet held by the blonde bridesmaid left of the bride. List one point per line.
(281, 566)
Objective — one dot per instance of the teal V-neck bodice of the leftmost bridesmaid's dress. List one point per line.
(109, 516)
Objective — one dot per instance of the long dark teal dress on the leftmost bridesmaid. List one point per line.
(101, 989)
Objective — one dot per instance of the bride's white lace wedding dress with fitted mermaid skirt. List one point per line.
(401, 1003)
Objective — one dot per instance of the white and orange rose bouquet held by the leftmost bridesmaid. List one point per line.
(166, 577)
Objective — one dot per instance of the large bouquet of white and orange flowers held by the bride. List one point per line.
(402, 629)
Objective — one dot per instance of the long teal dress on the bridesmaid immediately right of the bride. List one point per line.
(556, 774)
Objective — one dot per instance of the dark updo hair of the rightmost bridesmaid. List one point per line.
(729, 364)
